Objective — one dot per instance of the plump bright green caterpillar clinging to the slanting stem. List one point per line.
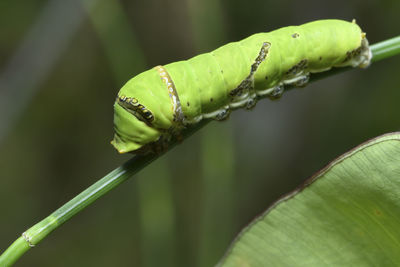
(160, 102)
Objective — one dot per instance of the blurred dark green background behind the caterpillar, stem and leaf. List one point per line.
(61, 66)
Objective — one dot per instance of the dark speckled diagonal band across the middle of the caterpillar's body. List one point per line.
(247, 83)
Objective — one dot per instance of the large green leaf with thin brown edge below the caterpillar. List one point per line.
(348, 214)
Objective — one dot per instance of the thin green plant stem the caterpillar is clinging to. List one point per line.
(39, 231)
